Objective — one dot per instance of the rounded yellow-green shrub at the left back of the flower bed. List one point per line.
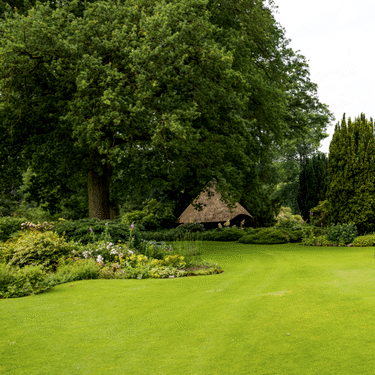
(33, 248)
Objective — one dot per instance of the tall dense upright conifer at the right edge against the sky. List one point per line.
(351, 173)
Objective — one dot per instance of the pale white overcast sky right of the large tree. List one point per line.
(337, 38)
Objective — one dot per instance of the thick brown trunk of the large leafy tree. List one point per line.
(98, 190)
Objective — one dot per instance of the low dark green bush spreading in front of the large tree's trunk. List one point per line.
(91, 230)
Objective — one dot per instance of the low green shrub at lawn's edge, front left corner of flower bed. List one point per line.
(19, 282)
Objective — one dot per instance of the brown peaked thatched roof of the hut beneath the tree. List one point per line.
(214, 209)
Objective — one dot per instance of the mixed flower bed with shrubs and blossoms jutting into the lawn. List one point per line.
(37, 261)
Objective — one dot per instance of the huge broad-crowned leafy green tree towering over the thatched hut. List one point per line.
(189, 91)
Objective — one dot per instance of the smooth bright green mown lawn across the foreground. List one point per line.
(281, 309)
